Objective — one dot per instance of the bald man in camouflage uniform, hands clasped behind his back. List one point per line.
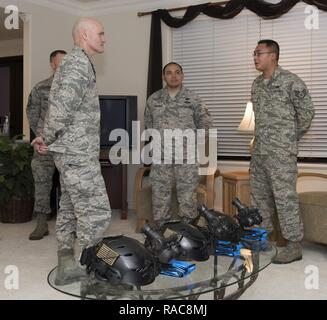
(72, 134)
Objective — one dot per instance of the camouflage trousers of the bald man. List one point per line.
(84, 208)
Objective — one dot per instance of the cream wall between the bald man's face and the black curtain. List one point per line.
(122, 68)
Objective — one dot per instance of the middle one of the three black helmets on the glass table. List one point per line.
(192, 243)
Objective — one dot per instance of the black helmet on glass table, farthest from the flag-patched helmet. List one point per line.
(221, 226)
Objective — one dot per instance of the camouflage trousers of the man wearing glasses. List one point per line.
(273, 191)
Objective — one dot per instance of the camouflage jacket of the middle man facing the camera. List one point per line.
(185, 111)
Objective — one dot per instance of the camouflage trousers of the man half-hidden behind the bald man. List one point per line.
(43, 169)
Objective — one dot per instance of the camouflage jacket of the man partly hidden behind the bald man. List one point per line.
(38, 104)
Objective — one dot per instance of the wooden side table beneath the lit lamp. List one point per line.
(235, 184)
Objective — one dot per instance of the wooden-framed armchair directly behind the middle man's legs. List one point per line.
(143, 195)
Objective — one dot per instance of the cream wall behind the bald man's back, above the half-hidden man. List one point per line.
(48, 30)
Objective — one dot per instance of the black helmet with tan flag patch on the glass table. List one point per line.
(121, 259)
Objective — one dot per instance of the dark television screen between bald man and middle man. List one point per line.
(116, 112)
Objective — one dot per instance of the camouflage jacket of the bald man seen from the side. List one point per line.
(72, 124)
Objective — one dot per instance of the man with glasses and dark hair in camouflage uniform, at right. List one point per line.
(283, 114)
